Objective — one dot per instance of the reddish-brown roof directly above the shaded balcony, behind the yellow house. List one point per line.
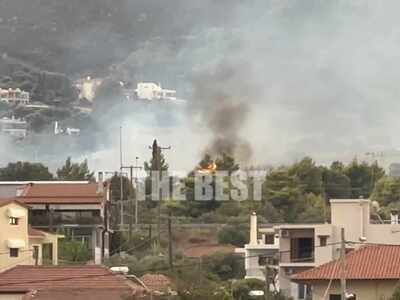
(82, 193)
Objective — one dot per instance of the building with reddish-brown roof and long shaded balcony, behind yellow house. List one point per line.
(76, 210)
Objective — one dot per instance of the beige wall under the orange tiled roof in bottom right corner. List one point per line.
(364, 289)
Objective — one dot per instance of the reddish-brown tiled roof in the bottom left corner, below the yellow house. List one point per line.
(61, 278)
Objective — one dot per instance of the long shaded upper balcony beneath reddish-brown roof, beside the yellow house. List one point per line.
(59, 219)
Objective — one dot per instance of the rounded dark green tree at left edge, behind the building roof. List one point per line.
(21, 171)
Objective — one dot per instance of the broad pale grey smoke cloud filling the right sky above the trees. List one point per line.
(296, 77)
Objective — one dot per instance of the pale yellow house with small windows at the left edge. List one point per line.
(21, 244)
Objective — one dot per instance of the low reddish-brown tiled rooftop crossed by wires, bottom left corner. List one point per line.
(66, 283)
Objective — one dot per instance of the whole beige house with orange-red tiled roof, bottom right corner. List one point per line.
(371, 272)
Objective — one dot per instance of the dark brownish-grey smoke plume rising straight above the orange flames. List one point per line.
(222, 99)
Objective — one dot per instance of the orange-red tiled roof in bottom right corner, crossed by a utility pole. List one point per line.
(367, 263)
